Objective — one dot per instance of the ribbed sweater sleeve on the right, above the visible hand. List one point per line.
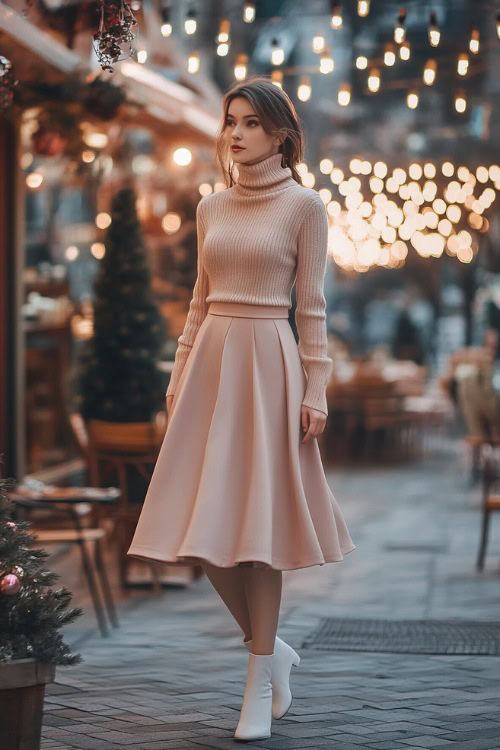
(310, 313)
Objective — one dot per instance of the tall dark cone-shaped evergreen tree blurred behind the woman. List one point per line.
(118, 379)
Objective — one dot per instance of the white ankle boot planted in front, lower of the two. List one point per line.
(256, 712)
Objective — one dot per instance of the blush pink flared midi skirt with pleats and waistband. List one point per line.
(233, 483)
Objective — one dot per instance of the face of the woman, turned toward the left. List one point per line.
(243, 128)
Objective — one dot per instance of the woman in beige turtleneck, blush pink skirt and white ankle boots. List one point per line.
(235, 488)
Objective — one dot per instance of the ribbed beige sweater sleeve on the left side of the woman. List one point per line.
(198, 308)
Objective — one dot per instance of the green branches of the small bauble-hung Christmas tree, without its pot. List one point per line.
(31, 613)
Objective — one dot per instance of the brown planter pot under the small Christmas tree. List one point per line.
(22, 691)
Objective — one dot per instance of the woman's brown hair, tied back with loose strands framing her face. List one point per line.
(276, 113)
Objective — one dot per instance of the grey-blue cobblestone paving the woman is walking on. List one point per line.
(172, 676)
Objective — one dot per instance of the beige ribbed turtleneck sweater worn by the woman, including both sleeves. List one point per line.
(255, 239)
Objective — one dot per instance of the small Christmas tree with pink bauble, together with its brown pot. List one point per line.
(31, 614)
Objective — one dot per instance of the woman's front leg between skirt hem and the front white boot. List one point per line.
(263, 594)
